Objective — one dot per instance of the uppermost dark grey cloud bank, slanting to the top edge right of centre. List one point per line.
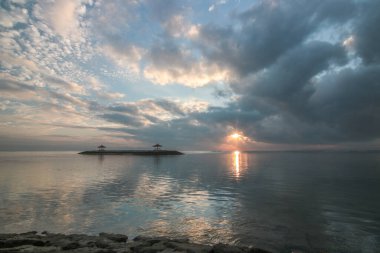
(268, 30)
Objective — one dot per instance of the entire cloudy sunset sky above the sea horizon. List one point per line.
(297, 74)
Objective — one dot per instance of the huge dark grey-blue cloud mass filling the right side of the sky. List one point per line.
(282, 75)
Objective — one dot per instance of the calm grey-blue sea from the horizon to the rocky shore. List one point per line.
(276, 201)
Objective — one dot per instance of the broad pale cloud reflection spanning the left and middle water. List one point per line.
(115, 194)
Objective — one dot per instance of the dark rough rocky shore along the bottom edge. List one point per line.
(108, 243)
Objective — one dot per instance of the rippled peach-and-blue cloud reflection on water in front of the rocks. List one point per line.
(180, 210)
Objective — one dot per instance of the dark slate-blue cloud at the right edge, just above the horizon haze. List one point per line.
(350, 103)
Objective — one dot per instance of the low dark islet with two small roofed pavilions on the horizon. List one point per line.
(156, 151)
